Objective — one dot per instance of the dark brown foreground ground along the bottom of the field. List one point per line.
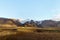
(32, 36)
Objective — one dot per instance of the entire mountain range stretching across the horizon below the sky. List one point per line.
(6, 22)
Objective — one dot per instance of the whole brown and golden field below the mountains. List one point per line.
(31, 33)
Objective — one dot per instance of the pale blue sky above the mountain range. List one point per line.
(30, 9)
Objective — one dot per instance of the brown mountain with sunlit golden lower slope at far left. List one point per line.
(6, 22)
